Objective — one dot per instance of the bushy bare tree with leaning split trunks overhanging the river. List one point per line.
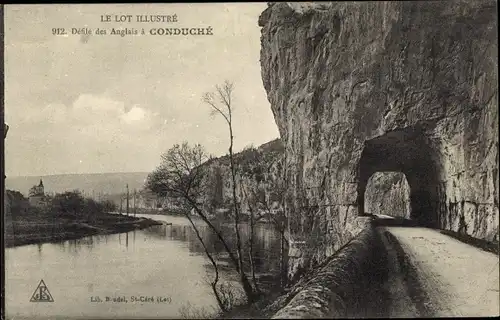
(181, 177)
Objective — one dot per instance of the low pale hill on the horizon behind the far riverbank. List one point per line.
(105, 183)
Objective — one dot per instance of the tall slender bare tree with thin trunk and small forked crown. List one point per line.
(221, 104)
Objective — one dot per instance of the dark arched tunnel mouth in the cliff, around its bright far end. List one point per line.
(406, 151)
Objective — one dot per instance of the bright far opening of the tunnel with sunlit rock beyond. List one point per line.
(388, 193)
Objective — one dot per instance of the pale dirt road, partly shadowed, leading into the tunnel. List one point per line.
(432, 274)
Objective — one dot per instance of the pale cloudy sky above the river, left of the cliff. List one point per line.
(79, 103)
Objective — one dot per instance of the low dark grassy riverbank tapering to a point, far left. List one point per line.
(35, 229)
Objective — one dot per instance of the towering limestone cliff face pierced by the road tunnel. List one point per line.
(363, 87)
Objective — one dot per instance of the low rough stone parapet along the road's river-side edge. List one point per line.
(338, 288)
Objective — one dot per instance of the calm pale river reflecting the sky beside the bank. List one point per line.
(164, 263)
